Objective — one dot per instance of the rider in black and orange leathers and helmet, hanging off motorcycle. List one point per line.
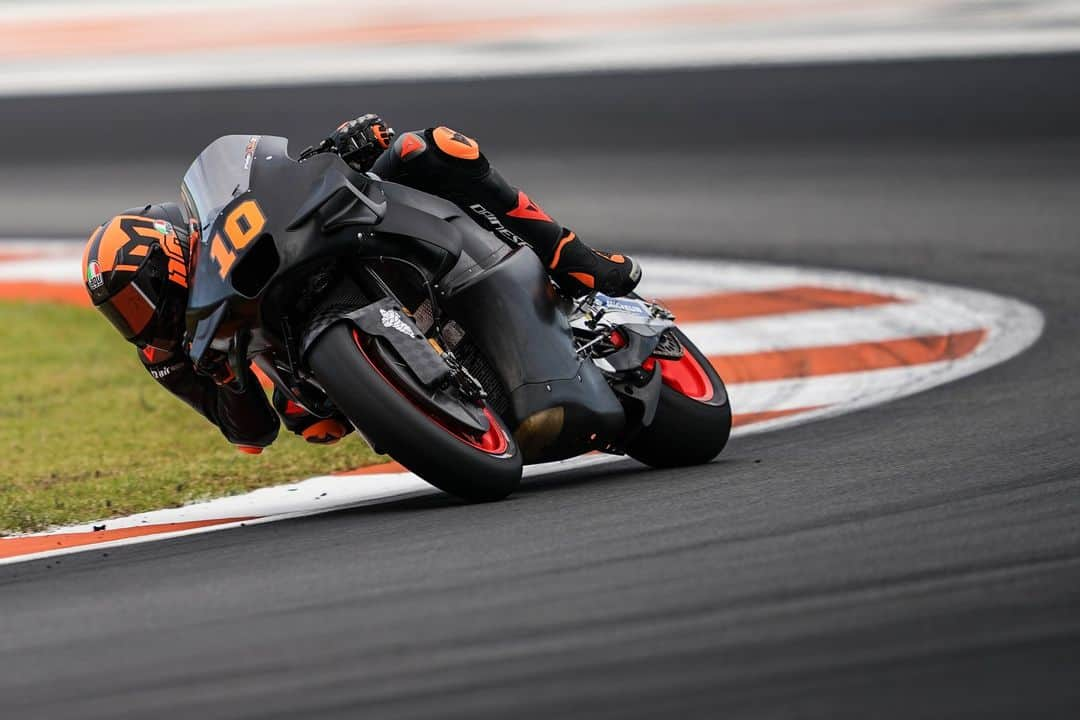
(142, 287)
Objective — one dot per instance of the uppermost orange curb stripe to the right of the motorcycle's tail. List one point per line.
(735, 306)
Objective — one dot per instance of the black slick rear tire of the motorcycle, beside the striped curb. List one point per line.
(686, 431)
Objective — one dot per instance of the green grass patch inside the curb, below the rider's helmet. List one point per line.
(87, 434)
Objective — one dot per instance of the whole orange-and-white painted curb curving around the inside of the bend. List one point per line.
(793, 345)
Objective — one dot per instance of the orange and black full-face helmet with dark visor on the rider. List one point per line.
(136, 270)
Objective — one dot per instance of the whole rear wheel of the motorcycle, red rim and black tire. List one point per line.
(694, 417)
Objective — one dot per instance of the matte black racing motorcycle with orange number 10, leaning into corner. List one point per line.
(449, 349)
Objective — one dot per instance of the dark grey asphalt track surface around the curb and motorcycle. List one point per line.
(917, 560)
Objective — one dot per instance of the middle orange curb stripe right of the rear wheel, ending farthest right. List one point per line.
(856, 358)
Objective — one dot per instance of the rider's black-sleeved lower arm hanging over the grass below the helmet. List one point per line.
(246, 419)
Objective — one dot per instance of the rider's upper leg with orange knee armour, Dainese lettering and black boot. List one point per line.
(449, 165)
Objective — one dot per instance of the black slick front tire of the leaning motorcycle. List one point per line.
(395, 424)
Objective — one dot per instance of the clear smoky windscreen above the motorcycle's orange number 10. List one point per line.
(221, 173)
